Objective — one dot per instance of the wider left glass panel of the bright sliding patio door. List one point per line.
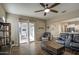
(23, 32)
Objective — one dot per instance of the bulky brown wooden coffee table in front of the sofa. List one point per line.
(53, 47)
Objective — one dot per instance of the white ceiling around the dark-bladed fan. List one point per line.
(27, 9)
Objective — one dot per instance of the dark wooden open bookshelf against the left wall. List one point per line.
(5, 34)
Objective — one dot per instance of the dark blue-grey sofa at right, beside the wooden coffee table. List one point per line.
(70, 41)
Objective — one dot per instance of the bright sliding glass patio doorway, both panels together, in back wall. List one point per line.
(27, 32)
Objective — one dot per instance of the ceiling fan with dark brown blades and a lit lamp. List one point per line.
(48, 9)
